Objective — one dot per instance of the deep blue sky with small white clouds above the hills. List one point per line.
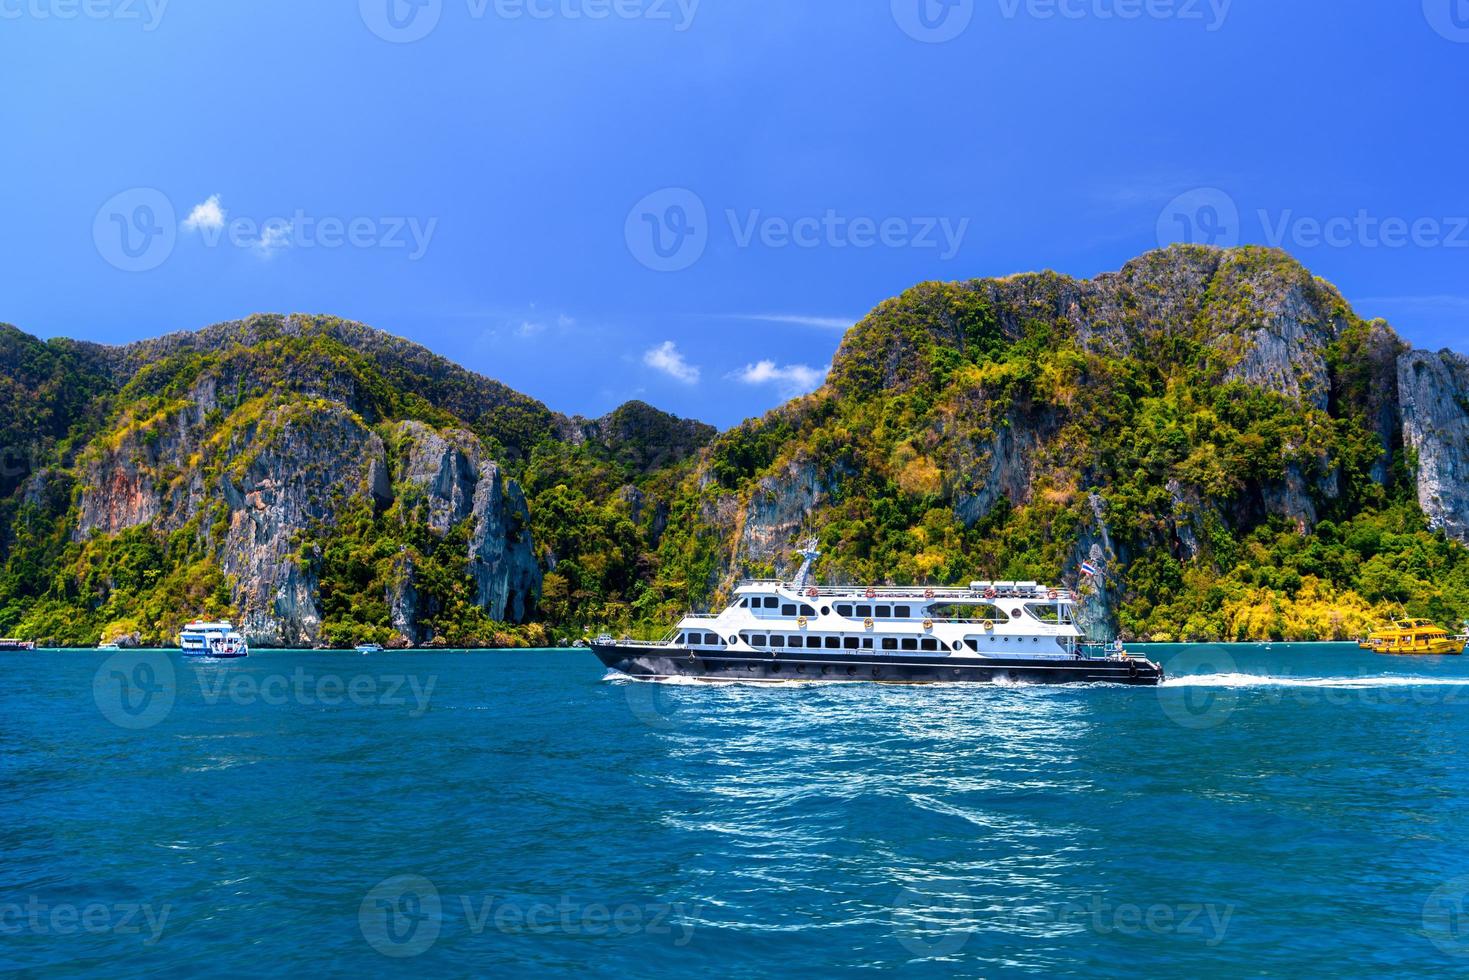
(687, 201)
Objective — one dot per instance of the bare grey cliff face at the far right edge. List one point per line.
(1434, 402)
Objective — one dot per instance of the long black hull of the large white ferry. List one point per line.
(654, 665)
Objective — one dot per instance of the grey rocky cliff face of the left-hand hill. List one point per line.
(255, 450)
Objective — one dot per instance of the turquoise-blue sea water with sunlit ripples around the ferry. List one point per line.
(1286, 812)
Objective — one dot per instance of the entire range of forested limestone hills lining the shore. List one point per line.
(1217, 430)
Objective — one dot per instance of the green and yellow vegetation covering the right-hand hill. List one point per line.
(945, 394)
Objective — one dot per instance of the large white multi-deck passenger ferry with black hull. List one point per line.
(800, 631)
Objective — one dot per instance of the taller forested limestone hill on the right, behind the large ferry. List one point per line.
(1219, 431)
